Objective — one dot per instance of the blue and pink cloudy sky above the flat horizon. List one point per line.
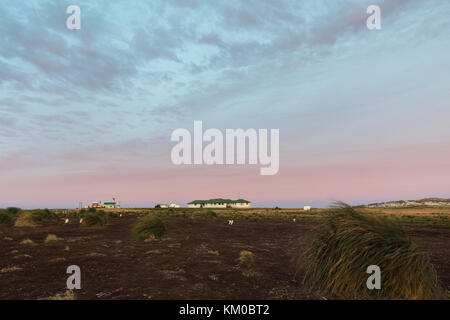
(87, 115)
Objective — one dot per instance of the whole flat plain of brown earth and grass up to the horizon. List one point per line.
(200, 257)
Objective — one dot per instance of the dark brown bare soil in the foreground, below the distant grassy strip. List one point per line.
(198, 260)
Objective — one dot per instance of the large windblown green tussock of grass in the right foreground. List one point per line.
(336, 259)
